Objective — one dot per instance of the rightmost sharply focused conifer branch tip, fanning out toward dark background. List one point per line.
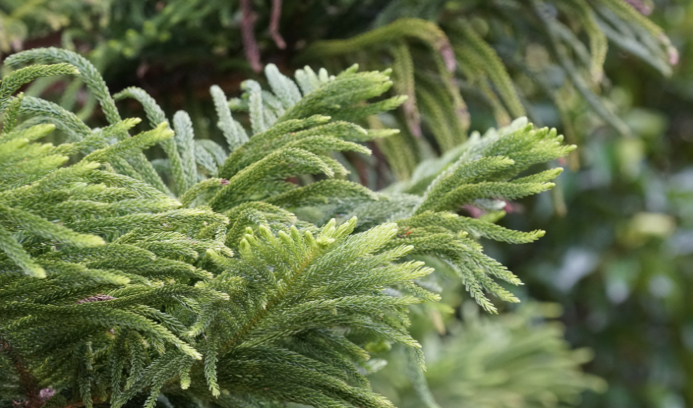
(482, 175)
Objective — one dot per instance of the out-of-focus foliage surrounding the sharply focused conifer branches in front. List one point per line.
(619, 249)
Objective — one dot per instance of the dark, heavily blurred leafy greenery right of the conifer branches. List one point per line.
(620, 261)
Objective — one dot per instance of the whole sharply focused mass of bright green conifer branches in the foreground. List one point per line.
(222, 296)
